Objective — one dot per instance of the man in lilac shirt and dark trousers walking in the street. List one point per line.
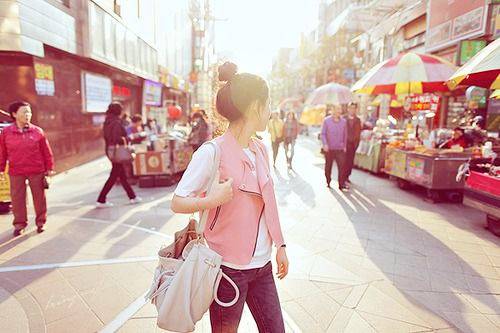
(334, 139)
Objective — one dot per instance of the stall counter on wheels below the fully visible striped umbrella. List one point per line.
(435, 172)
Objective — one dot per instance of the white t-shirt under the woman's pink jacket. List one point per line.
(195, 182)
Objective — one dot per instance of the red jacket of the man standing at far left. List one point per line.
(27, 151)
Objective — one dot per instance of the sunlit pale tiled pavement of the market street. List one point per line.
(374, 259)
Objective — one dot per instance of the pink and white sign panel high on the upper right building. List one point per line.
(454, 20)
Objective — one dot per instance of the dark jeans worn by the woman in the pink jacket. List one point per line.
(258, 290)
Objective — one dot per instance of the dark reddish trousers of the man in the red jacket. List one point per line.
(18, 198)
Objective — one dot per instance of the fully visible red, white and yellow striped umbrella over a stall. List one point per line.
(409, 73)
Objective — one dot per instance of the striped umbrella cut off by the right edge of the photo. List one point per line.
(483, 70)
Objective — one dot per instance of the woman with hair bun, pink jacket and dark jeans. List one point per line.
(243, 221)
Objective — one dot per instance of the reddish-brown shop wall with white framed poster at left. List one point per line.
(69, 95)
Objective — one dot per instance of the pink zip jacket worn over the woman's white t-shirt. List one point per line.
(232, 228)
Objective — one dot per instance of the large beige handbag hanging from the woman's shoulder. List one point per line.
(188, 275)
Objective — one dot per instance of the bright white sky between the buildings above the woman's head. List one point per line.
(254, 30)
